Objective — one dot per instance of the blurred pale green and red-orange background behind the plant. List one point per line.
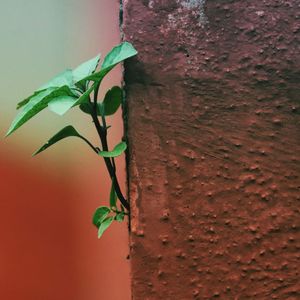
(49, 247)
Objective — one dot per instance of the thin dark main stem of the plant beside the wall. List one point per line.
(102, 132)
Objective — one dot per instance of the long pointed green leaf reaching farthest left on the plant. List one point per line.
(37, 104)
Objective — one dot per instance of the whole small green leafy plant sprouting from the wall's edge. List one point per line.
(79, 88)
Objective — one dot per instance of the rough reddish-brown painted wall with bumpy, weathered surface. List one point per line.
(214, 137)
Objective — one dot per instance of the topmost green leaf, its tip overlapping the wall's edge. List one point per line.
(115, 56)
